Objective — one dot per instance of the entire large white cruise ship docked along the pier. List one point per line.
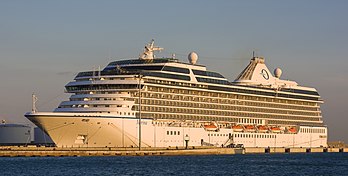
(165, 102)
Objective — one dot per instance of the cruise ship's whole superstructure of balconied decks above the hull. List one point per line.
(174, 89)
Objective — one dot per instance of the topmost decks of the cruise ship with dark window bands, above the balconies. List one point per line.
(169, 68)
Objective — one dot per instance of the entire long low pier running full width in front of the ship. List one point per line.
(74, 152)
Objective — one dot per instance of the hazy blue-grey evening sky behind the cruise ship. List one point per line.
(43, 44)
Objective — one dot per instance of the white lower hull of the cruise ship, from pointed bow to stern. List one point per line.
(70, 130)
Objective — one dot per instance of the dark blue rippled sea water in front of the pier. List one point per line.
(261, 164)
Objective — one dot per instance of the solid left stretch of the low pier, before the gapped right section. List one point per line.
(61, 152)
